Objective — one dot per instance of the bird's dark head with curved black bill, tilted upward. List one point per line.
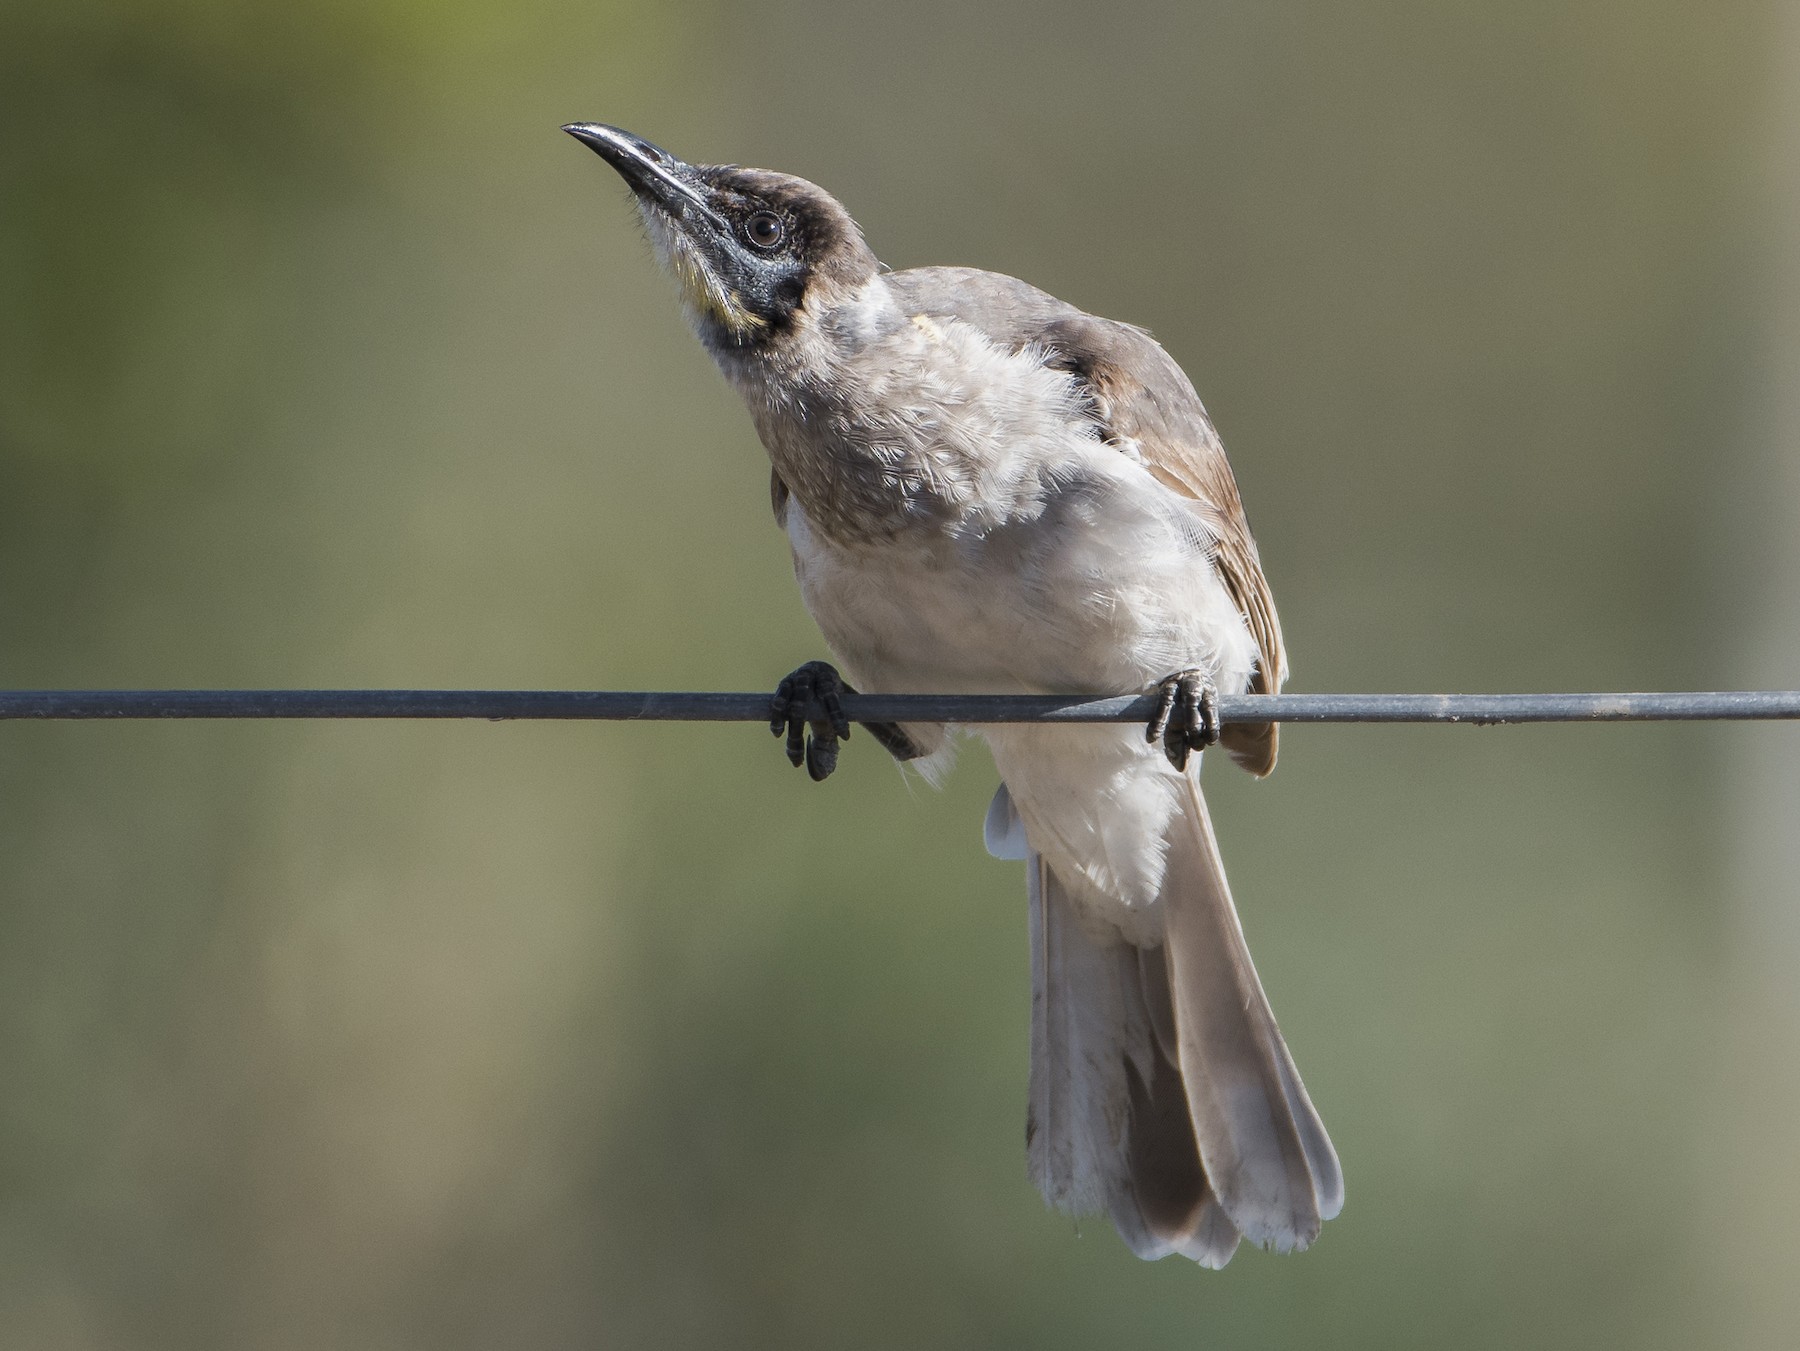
(748, 247)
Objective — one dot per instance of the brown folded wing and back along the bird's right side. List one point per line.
(1146, 406)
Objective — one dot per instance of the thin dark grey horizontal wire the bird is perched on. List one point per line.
(663, 706)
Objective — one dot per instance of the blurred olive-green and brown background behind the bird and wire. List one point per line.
(327, 361)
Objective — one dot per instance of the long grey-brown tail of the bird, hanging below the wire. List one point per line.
(1162, 1091)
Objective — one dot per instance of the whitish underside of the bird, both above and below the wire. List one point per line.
(1104, 593)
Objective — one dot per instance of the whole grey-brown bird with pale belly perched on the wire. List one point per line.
(987, 490)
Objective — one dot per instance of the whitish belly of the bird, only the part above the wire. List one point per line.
(1106, 587)
